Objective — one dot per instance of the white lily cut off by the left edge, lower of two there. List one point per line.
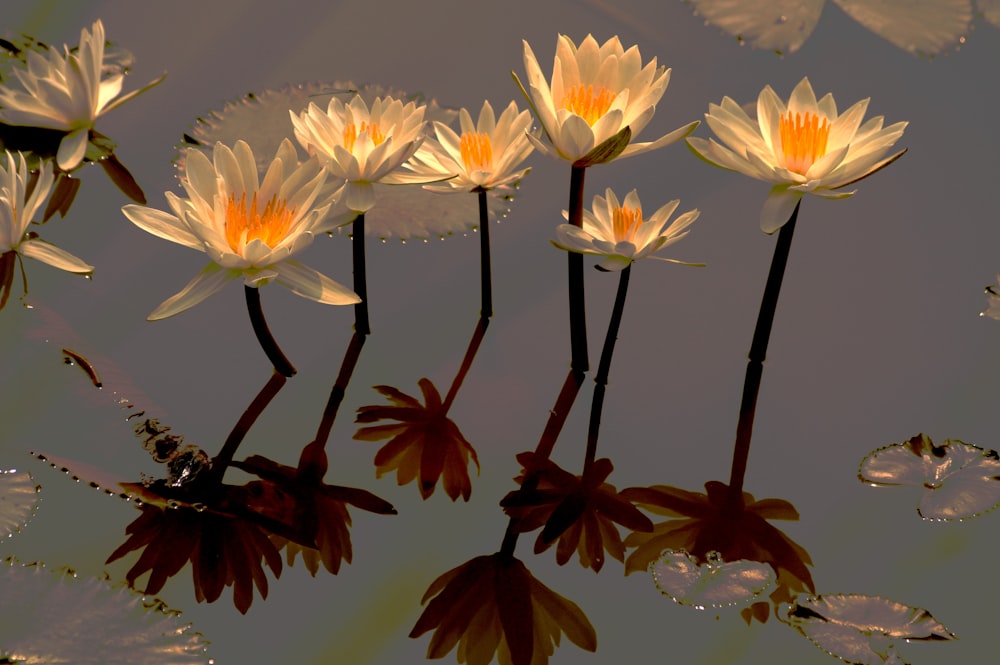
(17, 208)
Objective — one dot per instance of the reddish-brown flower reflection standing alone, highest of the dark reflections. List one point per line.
(425, 444)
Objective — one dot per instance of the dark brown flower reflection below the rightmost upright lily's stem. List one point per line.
(710, 522)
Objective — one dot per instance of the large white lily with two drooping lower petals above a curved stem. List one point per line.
(249, 228)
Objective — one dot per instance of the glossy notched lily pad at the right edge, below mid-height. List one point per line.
(959, 480)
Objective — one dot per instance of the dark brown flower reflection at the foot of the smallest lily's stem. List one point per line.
(578, 511)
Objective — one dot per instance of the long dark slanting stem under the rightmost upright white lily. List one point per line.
(755, 364)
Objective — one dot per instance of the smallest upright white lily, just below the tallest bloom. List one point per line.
(618, 232)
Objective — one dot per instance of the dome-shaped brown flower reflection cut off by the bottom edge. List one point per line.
(493, 605)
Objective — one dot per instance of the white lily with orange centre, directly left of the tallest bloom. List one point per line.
(486, 155)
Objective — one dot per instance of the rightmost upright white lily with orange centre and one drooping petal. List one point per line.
(804, 147)
